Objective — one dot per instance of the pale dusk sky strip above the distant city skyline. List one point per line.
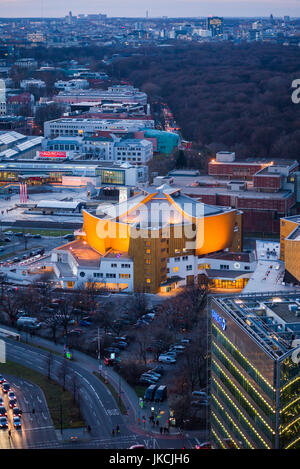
(171, 8)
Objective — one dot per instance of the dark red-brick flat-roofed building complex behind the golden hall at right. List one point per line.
(264, 191)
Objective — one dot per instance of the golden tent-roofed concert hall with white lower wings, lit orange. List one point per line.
(152, 242)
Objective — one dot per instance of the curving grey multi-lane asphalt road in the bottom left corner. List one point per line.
(97, 404)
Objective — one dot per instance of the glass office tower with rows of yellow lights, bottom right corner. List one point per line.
(255, 372)
